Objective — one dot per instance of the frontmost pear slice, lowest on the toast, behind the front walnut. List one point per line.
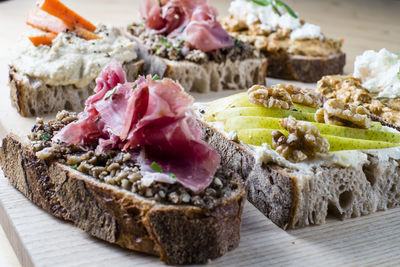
(257, 137)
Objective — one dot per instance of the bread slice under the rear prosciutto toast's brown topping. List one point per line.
(206, 77)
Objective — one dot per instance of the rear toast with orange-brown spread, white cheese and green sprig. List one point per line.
(296, 50)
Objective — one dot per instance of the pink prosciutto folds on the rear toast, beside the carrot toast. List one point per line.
(193, 21)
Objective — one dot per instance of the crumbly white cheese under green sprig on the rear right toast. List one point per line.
(270, 20)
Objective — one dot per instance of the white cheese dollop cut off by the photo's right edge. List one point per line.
(379, 72)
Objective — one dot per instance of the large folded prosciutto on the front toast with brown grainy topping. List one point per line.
(150, 117)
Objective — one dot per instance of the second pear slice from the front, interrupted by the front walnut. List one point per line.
(253, 122)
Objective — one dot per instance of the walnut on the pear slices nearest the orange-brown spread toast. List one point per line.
(336, 112)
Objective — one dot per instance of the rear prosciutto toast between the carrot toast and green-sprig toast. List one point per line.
(182, 40)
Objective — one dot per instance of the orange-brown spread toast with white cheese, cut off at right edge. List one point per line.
(375, 84)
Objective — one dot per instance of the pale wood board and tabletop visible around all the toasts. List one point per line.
(41, 240)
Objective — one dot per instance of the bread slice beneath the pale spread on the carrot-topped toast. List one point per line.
(32, 97)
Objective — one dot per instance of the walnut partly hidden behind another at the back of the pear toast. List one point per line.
(302, 96)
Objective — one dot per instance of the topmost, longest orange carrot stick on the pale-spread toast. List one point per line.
(59, 10)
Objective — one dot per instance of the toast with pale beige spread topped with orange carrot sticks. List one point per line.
(55, 66)
